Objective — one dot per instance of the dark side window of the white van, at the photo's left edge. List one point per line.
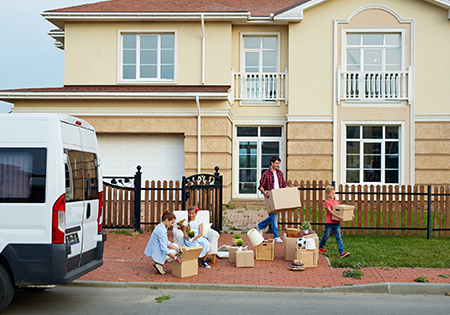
(23, 174)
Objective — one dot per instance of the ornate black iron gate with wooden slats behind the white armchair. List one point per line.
(205, 190)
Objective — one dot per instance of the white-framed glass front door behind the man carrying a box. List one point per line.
(256, 145)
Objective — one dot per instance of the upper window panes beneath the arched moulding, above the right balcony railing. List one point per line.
(374, 52)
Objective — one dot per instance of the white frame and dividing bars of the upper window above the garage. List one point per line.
(137, 80)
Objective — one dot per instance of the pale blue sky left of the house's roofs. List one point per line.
(28, 57)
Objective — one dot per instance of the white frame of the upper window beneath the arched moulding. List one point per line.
(378, 30)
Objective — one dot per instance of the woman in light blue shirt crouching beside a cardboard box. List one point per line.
(159, 248)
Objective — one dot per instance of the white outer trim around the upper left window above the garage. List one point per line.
(145, 81)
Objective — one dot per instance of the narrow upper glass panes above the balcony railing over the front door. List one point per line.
(260, 54)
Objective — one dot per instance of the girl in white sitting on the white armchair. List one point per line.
(194, 224)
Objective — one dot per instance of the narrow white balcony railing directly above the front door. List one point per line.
(260, 86)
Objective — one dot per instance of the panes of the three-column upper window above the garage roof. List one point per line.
(148, 57)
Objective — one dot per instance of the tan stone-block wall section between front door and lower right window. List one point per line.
(309, 151)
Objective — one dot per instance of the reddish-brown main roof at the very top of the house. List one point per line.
(254, 7)
